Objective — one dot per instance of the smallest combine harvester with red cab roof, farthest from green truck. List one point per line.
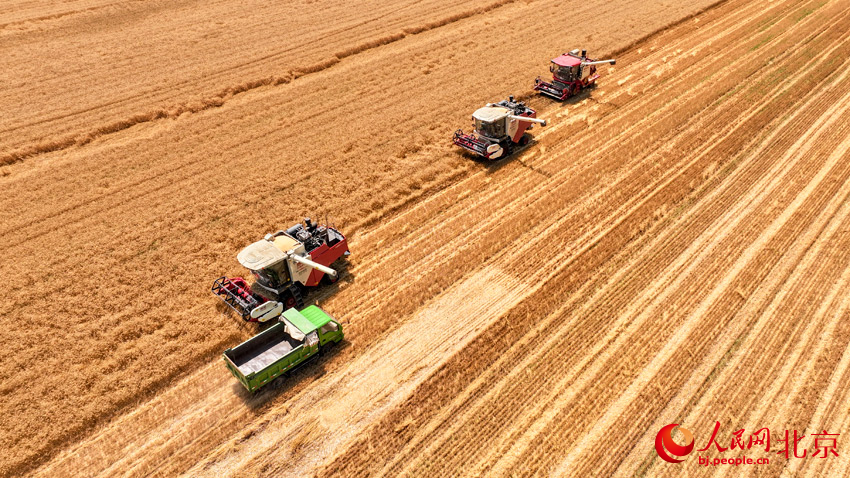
(571, 72)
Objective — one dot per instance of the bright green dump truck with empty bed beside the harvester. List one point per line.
(282, 347)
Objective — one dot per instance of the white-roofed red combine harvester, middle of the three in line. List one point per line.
(498, 128)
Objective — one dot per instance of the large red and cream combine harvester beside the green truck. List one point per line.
(283, 264)
